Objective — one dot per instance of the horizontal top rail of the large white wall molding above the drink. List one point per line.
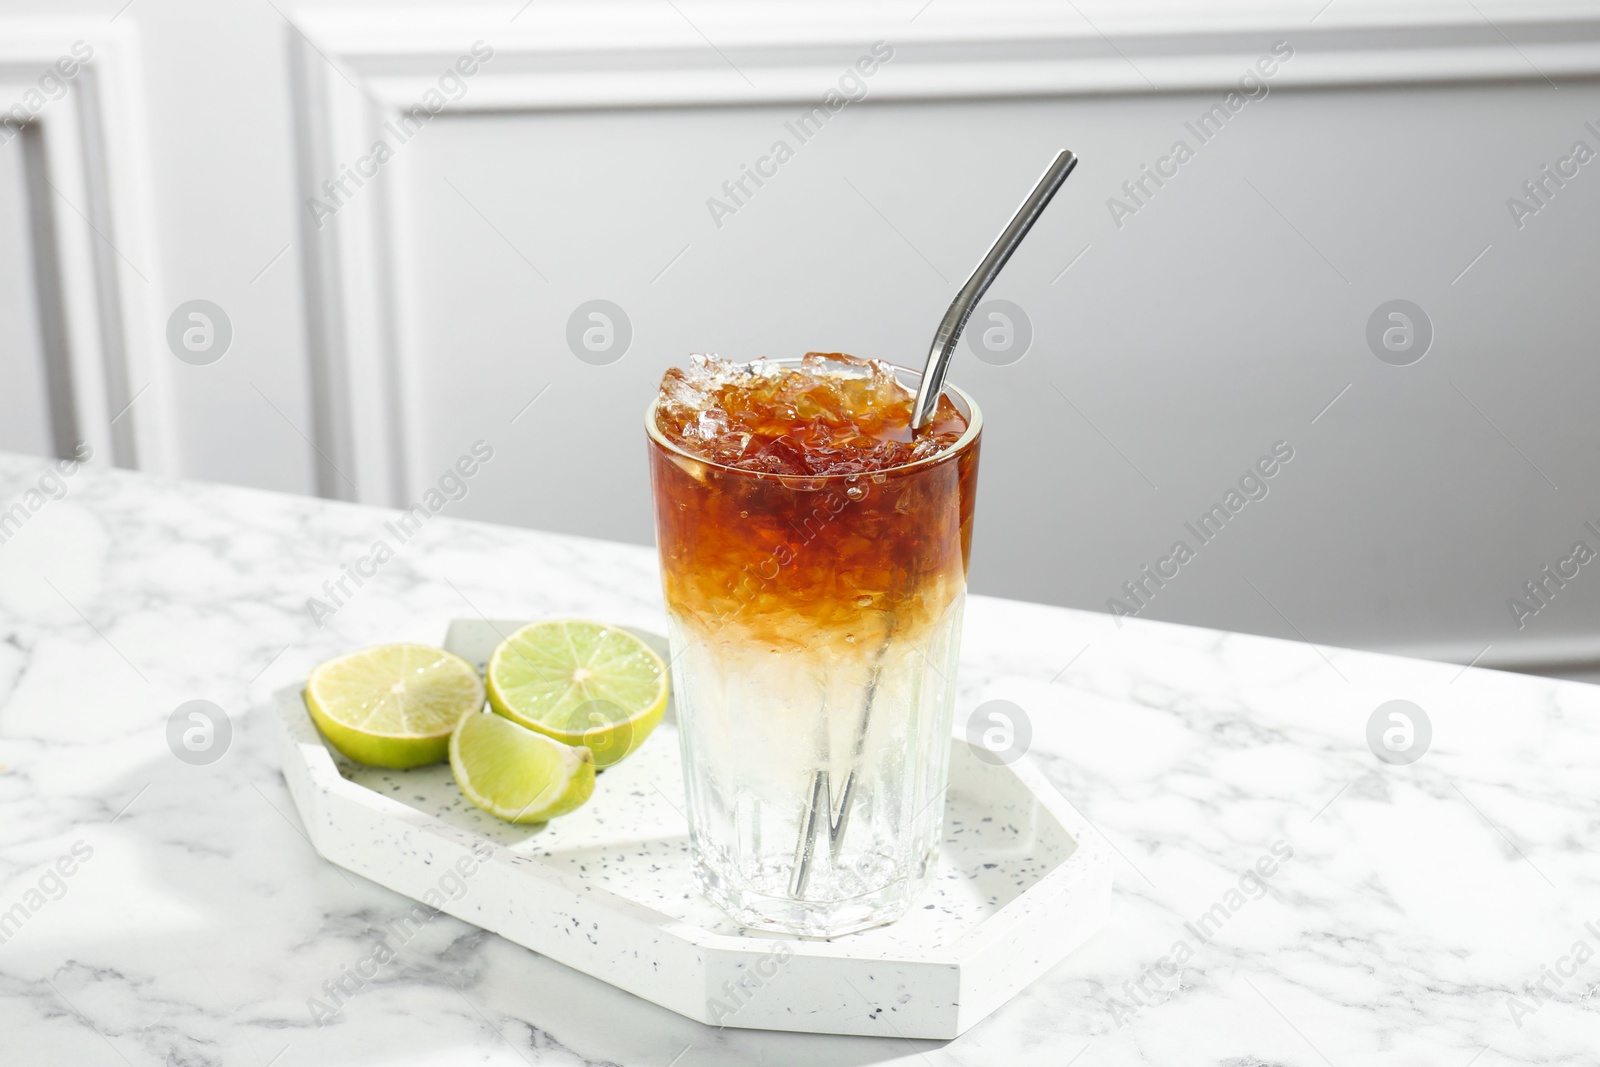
(642, 55)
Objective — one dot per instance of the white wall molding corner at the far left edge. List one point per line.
(90, 226)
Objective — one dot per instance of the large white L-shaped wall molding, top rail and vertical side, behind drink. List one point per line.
(358, 70)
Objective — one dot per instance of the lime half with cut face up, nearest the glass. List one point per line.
(583, 684)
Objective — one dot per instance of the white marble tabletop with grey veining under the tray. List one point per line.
(198, 922)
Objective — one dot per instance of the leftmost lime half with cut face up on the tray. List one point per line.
(393, 705)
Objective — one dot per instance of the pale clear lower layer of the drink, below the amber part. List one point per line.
(758, 725)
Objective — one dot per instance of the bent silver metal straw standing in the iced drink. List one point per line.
(820, 809)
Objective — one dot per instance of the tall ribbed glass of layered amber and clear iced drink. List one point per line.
(815, 557)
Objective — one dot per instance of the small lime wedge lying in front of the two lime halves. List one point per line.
(516, 773)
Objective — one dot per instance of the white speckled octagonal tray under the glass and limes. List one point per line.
(607, 890)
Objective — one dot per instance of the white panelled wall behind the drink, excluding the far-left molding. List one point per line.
(1220, 319)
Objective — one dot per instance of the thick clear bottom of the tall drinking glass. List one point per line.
(809, 919)
